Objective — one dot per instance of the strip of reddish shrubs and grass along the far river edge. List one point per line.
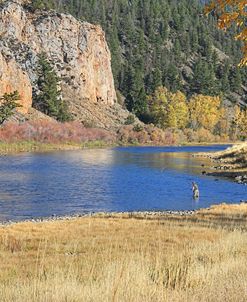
(42, 135)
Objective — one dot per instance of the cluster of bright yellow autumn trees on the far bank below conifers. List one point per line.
(205, 115)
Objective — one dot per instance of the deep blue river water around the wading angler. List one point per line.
(115, 179)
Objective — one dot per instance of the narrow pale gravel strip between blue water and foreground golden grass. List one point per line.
(101, 215)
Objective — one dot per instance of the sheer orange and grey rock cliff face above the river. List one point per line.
(77, 50)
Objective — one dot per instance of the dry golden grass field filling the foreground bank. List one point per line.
(122, 258)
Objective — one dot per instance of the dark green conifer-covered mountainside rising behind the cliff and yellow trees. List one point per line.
(164, 42)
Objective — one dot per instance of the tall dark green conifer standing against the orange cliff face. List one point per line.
(49, 100)
